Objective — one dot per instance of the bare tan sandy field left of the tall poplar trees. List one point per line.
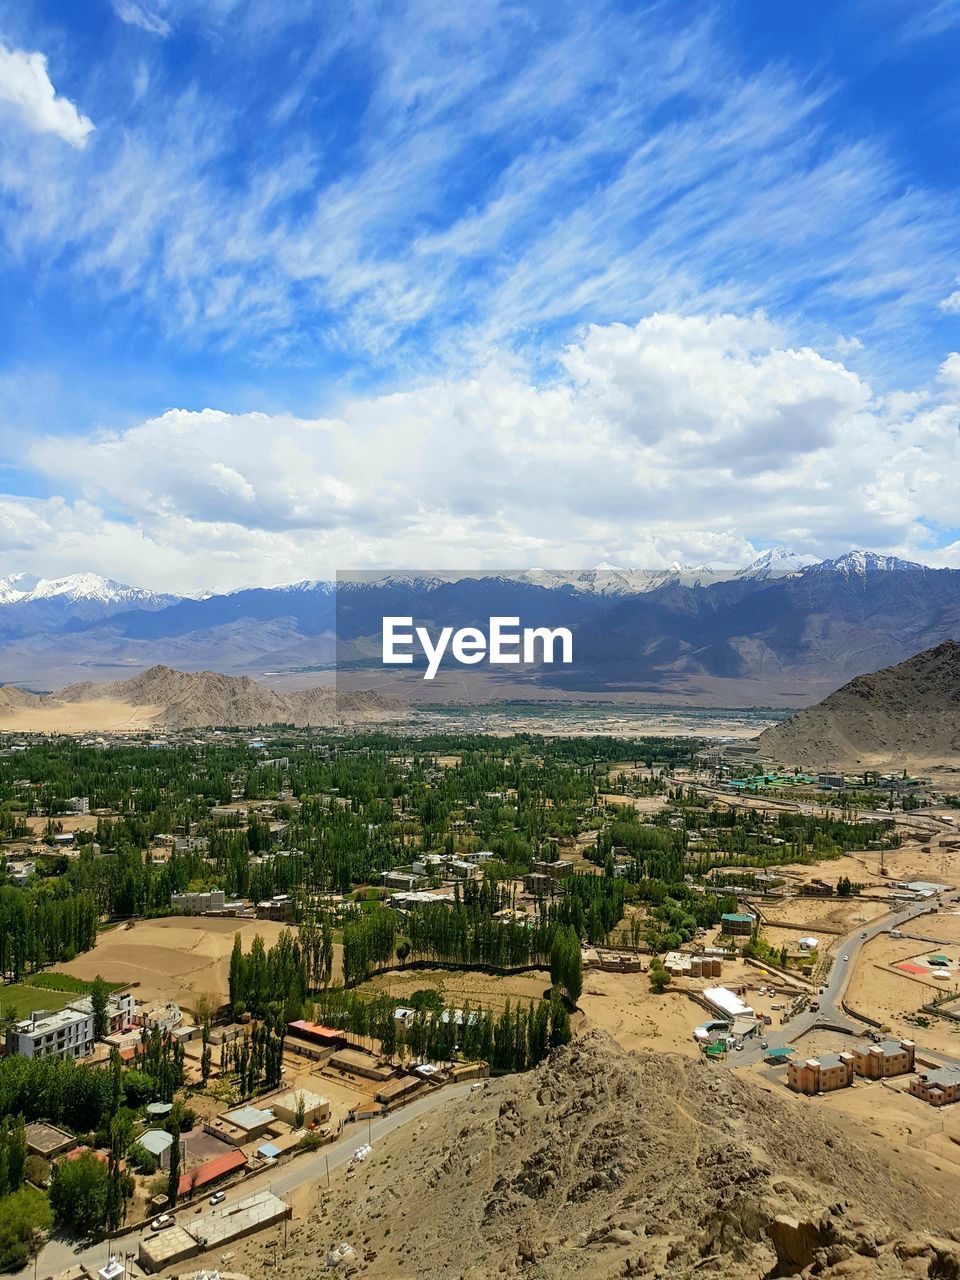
(177, 958)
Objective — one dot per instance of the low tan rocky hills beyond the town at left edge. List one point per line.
(186, 700)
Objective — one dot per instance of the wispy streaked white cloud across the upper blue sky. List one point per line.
(426, 188)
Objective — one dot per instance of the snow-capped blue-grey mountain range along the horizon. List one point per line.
(783, 632)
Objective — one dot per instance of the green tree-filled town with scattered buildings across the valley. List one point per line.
(232, 957)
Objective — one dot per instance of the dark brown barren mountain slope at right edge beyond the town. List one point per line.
(904, 716)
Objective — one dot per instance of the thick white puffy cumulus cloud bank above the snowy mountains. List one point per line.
(679, 438)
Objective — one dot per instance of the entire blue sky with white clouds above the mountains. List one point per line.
(289, 287)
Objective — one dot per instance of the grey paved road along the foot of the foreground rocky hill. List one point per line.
(58, 1255)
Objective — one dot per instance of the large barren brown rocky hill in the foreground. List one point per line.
(604, 1165)
